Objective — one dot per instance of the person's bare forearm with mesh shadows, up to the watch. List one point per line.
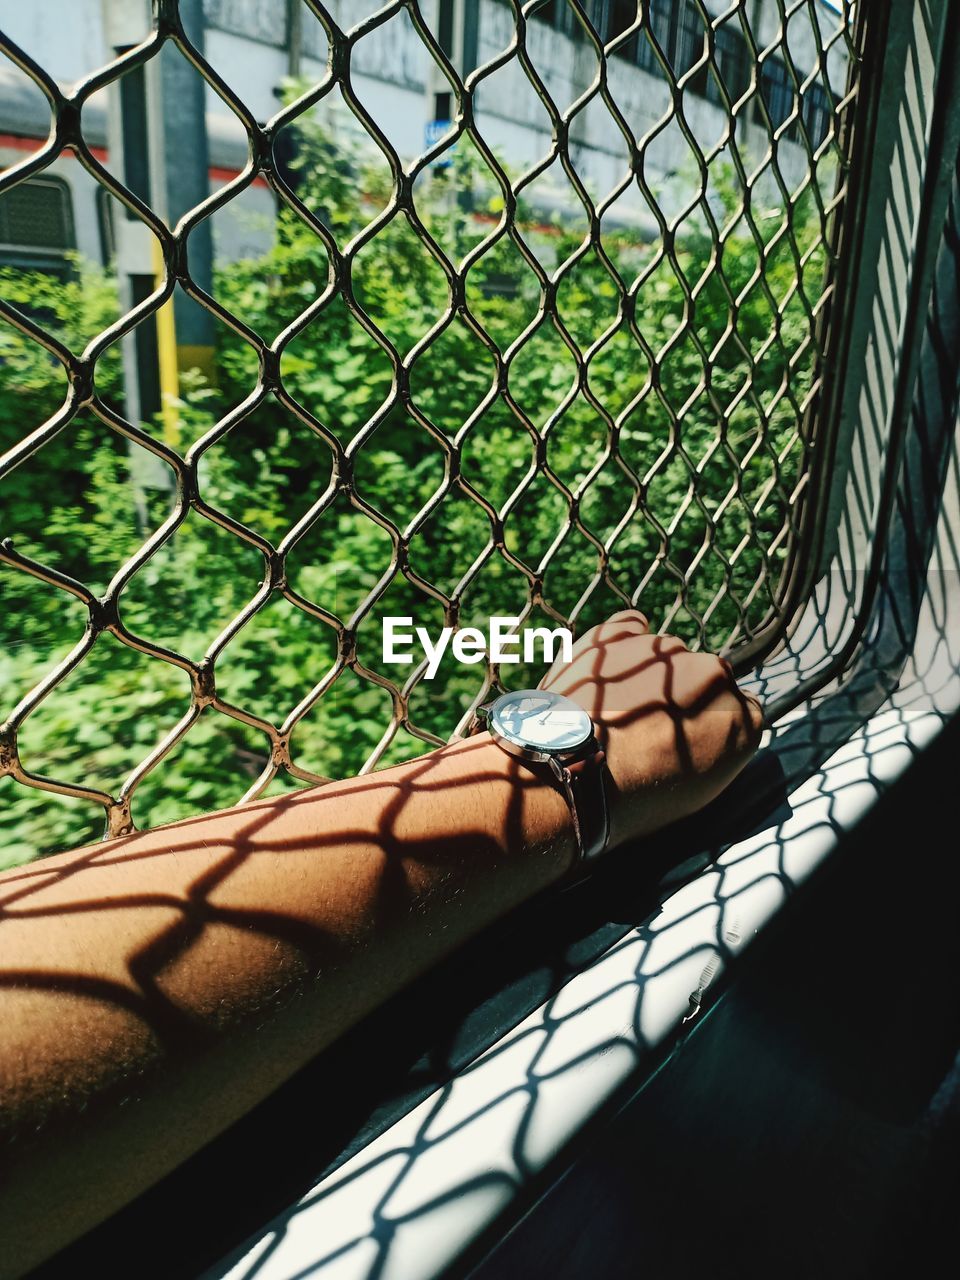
(191, 970)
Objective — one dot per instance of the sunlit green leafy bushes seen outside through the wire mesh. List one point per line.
(698, 467)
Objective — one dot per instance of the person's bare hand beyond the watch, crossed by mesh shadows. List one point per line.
(675, 726)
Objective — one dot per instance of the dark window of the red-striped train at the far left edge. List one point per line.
(36, 226)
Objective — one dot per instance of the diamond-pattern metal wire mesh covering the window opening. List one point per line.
(781, 493)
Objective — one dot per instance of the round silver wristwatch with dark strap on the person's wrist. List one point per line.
(541, 728)
